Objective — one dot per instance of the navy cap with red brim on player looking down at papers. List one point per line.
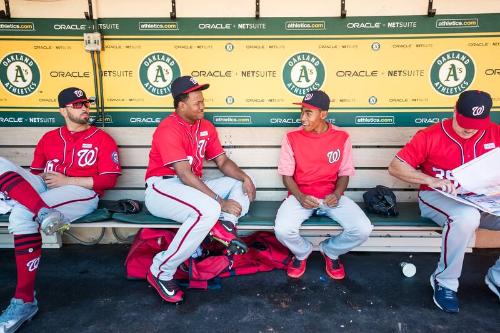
(473, 109)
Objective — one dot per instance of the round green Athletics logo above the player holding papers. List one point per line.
(452, 72)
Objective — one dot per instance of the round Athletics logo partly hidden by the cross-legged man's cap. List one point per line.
(157, 71)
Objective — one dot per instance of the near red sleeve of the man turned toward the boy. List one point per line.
(168, 142)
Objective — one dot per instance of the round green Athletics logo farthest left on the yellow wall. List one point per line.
(19, 74)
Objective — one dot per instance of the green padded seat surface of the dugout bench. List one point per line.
(262, 214)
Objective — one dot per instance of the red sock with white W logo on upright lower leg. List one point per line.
(28, 250)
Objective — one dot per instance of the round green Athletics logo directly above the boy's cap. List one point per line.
(302, 73)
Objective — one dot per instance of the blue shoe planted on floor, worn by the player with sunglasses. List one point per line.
(16, 314)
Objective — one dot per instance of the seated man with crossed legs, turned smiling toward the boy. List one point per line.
(176, 191)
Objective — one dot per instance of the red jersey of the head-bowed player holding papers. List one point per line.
(438, 149)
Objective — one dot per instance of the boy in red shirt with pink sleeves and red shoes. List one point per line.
(316, 162)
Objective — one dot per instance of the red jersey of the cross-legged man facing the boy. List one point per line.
(177, 140)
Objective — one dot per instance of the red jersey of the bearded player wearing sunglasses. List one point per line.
(81, 154)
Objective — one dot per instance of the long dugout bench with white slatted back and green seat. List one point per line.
(256, 151)
